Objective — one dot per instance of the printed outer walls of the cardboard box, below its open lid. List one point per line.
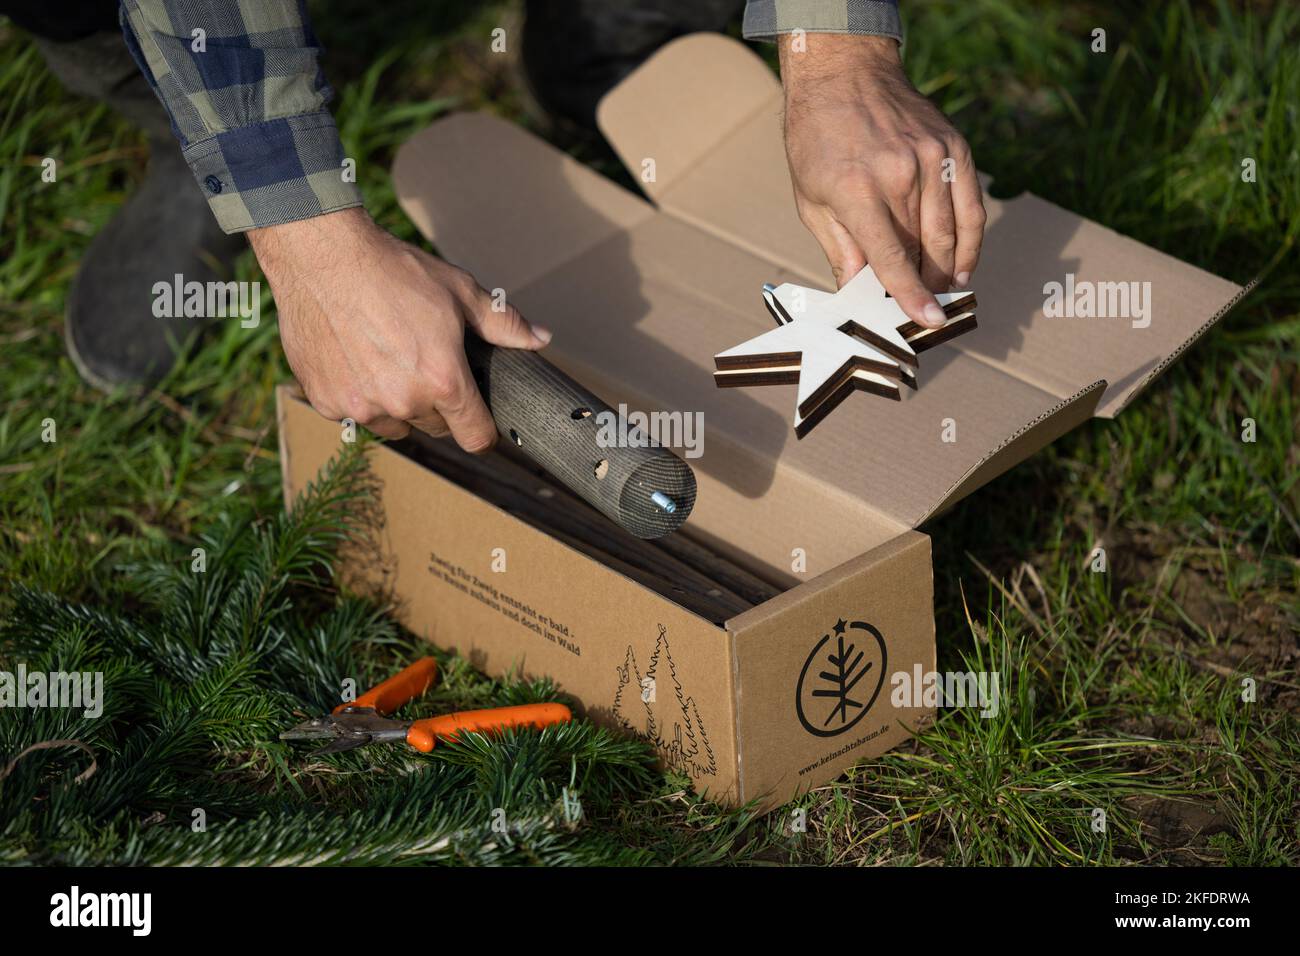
(635, 660)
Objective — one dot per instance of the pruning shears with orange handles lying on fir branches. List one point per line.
(365, 721)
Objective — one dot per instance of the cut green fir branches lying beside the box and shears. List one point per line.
(205, 671)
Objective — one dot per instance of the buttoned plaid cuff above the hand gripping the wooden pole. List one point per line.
(272, 172)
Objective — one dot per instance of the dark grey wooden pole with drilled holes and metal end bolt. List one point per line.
(558, 423)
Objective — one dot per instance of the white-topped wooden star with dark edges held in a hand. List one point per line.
(833, 344)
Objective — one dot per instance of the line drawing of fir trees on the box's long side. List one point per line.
(666, 717)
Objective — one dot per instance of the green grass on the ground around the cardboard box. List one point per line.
(1123, 690)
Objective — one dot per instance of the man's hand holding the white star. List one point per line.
(868, 158)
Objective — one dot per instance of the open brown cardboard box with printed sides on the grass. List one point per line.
(642, 296)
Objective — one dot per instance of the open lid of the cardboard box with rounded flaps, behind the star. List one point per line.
(643, 296)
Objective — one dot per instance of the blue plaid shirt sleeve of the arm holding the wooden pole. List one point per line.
(248, 102)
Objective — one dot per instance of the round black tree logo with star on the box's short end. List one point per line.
(842, 678)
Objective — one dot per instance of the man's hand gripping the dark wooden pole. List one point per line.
(375, 328)
